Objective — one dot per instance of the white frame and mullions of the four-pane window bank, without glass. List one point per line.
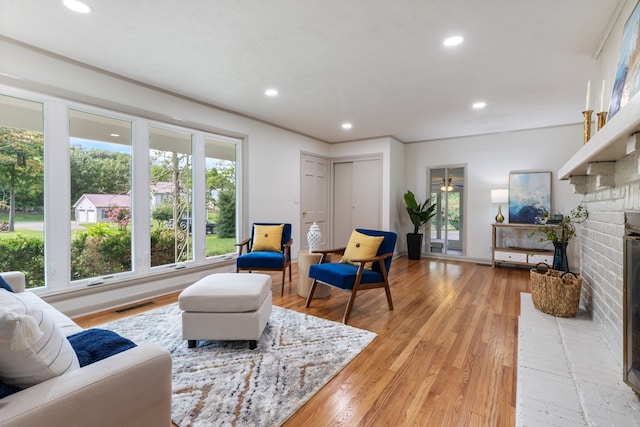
(57, 220)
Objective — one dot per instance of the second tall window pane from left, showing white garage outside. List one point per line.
(100, 182)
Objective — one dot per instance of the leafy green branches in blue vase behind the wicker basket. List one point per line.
(560, 232)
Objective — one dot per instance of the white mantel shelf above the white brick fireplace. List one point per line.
(608, 144)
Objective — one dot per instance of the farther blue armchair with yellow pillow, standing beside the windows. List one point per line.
(264, 253)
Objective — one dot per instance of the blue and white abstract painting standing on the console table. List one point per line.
(529, 196)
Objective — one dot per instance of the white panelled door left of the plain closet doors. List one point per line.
(314, 197)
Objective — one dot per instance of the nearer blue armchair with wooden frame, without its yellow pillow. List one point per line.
(359, 274)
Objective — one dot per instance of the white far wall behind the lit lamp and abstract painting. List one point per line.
(488, 160)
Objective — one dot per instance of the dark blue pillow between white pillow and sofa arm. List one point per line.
(92, 345)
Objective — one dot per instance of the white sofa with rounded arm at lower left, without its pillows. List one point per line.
(132, 388)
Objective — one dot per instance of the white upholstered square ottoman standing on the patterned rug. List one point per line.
(226, 306)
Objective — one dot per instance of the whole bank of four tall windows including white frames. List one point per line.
(124, 196)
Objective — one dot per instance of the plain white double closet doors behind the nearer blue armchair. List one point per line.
(357, 200)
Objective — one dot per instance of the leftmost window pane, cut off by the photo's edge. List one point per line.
(22, 188)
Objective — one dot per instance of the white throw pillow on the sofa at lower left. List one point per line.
(32, 347)
